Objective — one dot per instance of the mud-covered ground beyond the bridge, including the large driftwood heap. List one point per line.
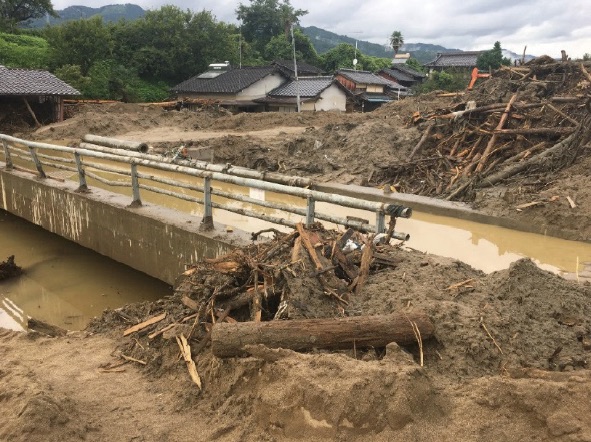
(375, 149)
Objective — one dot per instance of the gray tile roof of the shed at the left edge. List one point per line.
(29, 82)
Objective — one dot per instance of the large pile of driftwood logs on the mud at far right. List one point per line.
(524, 120)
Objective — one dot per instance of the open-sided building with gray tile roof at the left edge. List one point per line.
(40, 91)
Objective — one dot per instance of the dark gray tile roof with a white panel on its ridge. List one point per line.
(230, 82)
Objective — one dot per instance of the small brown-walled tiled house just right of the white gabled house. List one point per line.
(368, 89)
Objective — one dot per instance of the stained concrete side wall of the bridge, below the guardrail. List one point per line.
(152, 239)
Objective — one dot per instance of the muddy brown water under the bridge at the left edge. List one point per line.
(63, 283)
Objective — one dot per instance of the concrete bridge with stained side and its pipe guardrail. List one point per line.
(153, 239)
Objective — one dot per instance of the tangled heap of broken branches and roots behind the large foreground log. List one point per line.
(309, 273)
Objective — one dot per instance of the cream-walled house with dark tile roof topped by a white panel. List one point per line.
(235, 88)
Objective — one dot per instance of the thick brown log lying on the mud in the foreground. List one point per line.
(228, 340)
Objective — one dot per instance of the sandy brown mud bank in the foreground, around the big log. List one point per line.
(508, 362)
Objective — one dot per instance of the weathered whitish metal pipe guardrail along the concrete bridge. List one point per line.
(272, 182)
